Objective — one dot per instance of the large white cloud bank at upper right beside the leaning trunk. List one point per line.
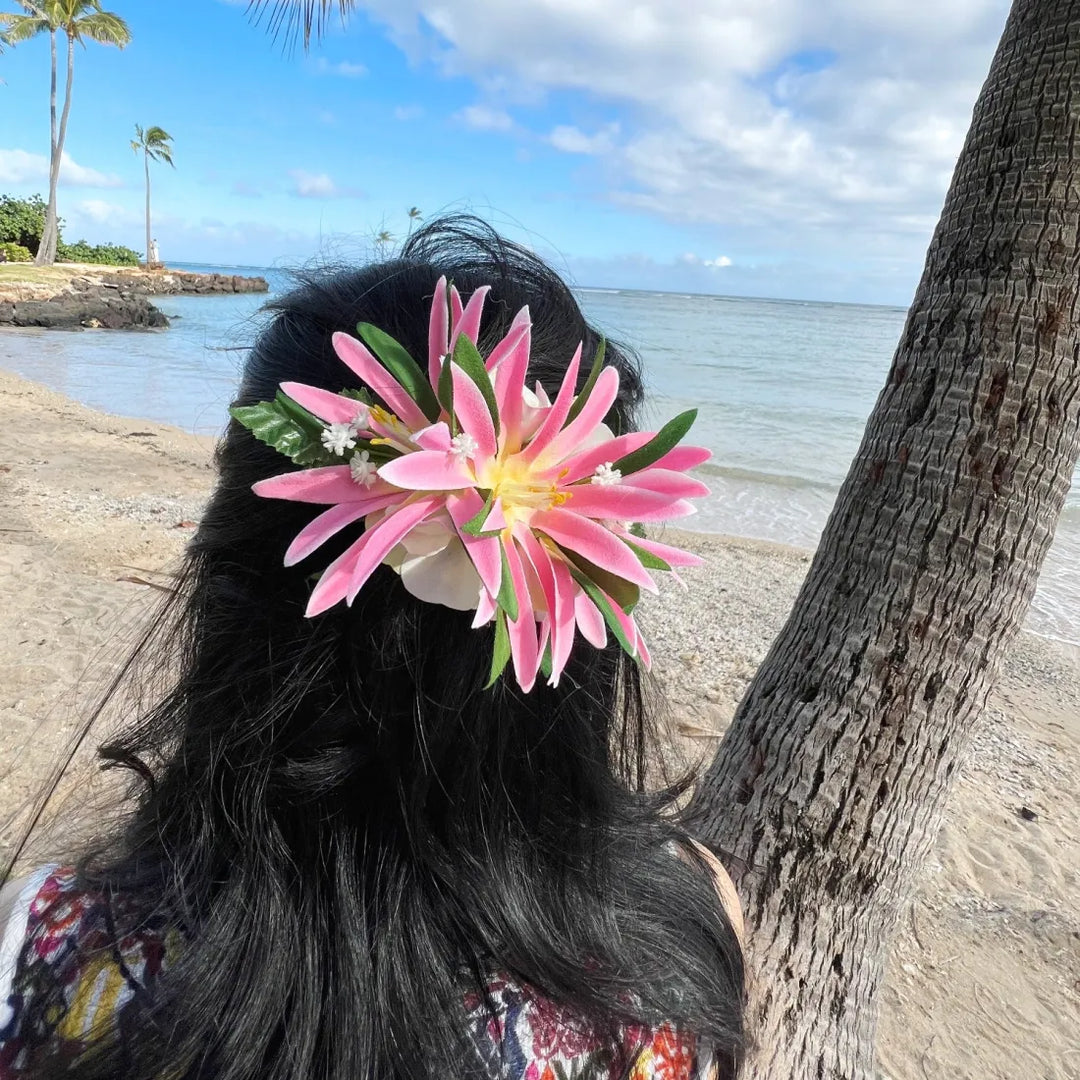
(802, 125)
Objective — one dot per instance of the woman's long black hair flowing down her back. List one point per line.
(348, 832)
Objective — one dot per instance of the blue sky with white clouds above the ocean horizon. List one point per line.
(782, 148)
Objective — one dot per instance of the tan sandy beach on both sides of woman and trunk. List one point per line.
(985, 971)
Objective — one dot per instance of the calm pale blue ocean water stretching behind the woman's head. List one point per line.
(784, 390)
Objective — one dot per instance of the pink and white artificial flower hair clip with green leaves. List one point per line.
(481, 493)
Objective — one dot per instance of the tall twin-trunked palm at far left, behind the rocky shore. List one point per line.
(79, 21)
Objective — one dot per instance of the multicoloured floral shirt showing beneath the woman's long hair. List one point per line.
(88, 979)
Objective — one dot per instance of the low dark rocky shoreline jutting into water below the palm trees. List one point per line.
(107, 299)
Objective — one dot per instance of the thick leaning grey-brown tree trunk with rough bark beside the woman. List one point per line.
(829, 787)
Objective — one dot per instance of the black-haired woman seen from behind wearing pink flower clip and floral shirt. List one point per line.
(390, 818)
